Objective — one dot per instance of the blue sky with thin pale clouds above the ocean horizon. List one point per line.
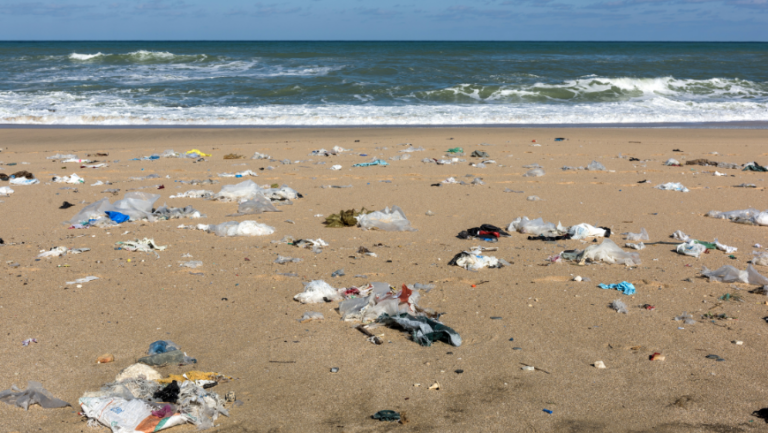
(692, 20)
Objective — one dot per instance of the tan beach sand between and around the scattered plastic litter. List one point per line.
(240, 315)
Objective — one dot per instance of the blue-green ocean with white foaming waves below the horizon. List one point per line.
(294, 84)
